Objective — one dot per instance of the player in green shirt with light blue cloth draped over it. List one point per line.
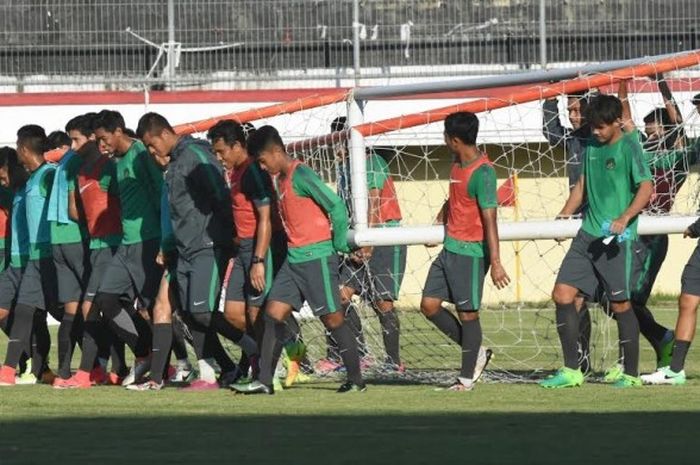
(70, 252)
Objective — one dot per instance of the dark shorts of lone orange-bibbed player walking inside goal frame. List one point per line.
(458, 279)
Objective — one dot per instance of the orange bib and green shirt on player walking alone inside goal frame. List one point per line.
(472, 189)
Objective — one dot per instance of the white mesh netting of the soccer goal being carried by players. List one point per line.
(518, 322)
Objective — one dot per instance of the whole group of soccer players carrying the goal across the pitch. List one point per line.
(132, 239)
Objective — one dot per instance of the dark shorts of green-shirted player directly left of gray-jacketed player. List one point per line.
(133, 271)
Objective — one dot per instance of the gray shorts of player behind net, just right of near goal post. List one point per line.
(381, 275)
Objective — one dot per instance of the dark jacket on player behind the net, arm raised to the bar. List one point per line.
(575, 142)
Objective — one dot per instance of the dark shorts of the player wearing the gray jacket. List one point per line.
(199, 280)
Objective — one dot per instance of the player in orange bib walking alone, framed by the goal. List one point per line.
(471, 247)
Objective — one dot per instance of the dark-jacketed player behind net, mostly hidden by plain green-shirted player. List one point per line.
(575, 141)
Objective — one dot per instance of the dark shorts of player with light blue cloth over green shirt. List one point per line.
(72, 270)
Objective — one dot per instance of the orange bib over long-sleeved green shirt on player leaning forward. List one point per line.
(308, 208)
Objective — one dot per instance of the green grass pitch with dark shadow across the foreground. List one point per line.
(405, 424)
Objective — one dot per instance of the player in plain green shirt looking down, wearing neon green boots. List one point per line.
(617, 185)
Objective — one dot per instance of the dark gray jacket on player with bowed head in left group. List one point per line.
(199, 199)
